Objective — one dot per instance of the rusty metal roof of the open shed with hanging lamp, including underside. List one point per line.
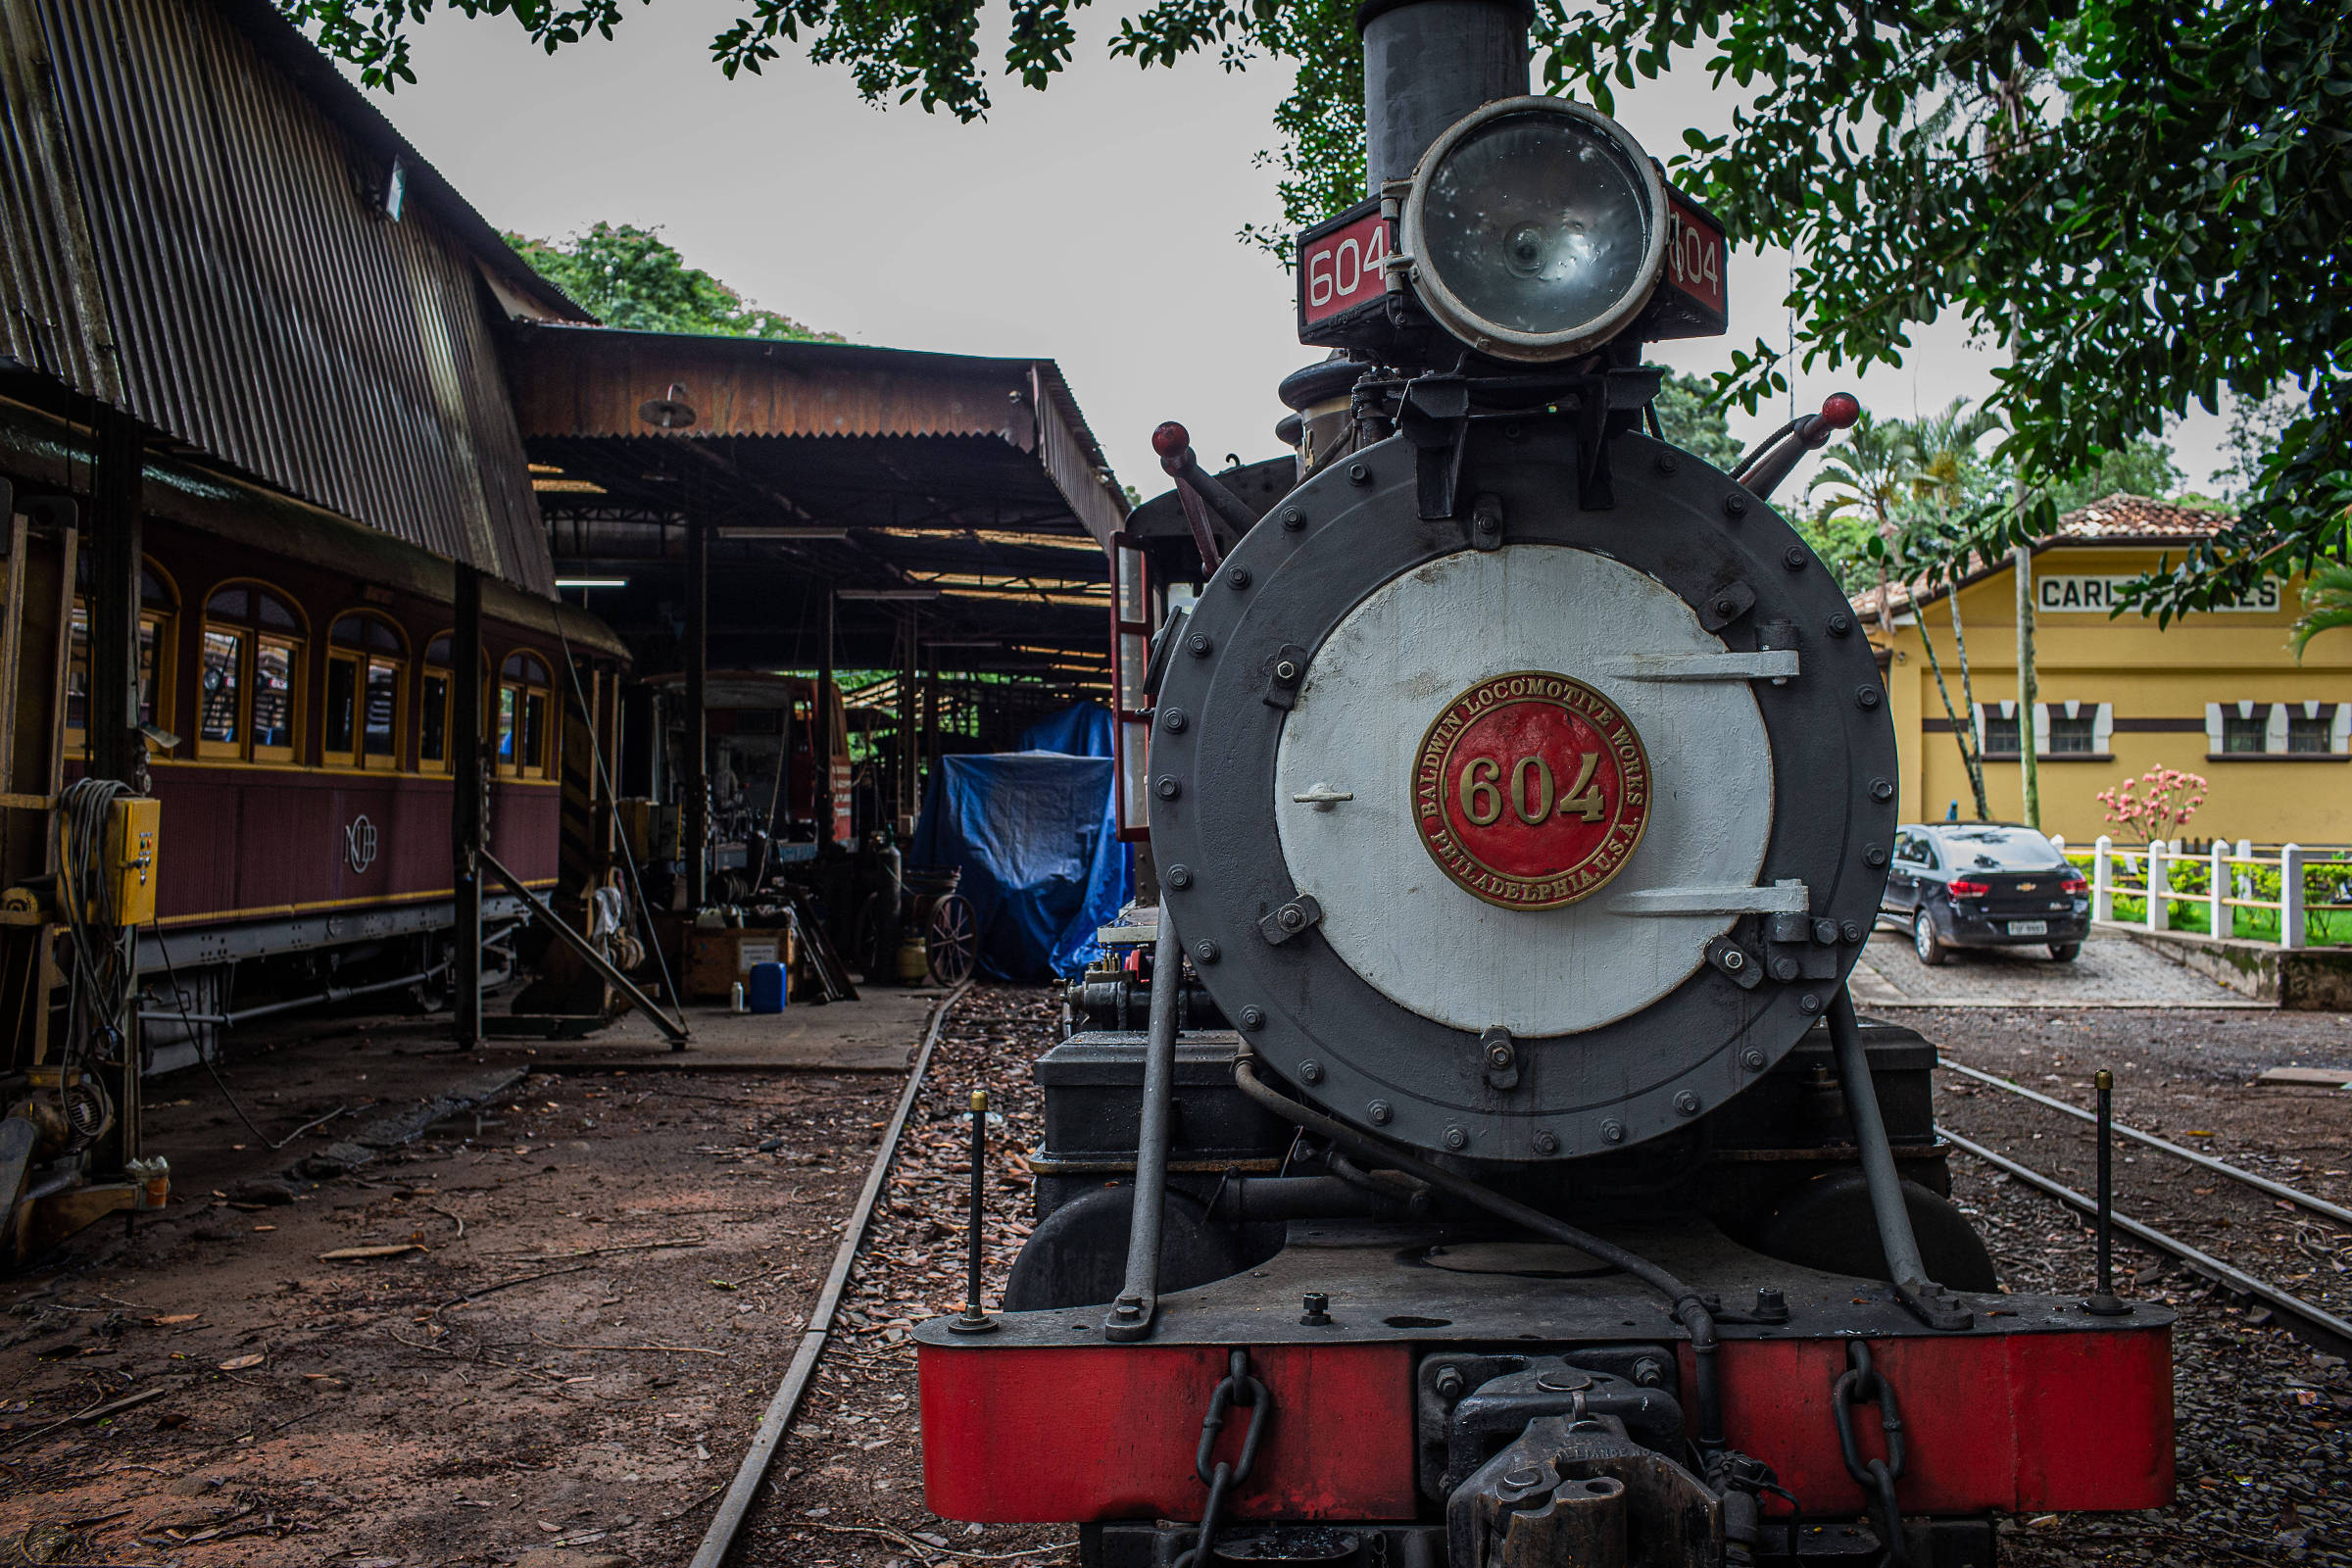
(968, 481)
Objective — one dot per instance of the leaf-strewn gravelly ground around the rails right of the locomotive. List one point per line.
(2261, 1419)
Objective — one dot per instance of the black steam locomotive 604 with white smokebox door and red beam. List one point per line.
(1476, 1160)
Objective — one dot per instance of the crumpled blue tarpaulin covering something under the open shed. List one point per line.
(1036, 838)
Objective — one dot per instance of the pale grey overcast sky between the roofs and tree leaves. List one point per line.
(1093, 225)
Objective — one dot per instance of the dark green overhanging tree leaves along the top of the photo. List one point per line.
(2149, 203)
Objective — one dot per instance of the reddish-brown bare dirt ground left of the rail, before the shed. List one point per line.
(608, 1282)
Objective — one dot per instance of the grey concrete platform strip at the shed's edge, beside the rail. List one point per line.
(876, 1033)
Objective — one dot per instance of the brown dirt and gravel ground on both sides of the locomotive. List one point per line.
(573, 1381)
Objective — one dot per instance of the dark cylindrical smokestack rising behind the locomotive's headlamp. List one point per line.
(1429, 65)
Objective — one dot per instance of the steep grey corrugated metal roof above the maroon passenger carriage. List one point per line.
(196, 239)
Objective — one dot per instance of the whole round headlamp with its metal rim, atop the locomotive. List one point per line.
(1537, 229)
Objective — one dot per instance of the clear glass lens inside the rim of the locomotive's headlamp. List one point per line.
(1537, 225)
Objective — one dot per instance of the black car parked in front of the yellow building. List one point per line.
(1986, 885)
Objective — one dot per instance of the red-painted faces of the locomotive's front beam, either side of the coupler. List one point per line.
(2017, 1423)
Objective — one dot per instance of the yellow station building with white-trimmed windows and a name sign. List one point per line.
(2214, 695)
